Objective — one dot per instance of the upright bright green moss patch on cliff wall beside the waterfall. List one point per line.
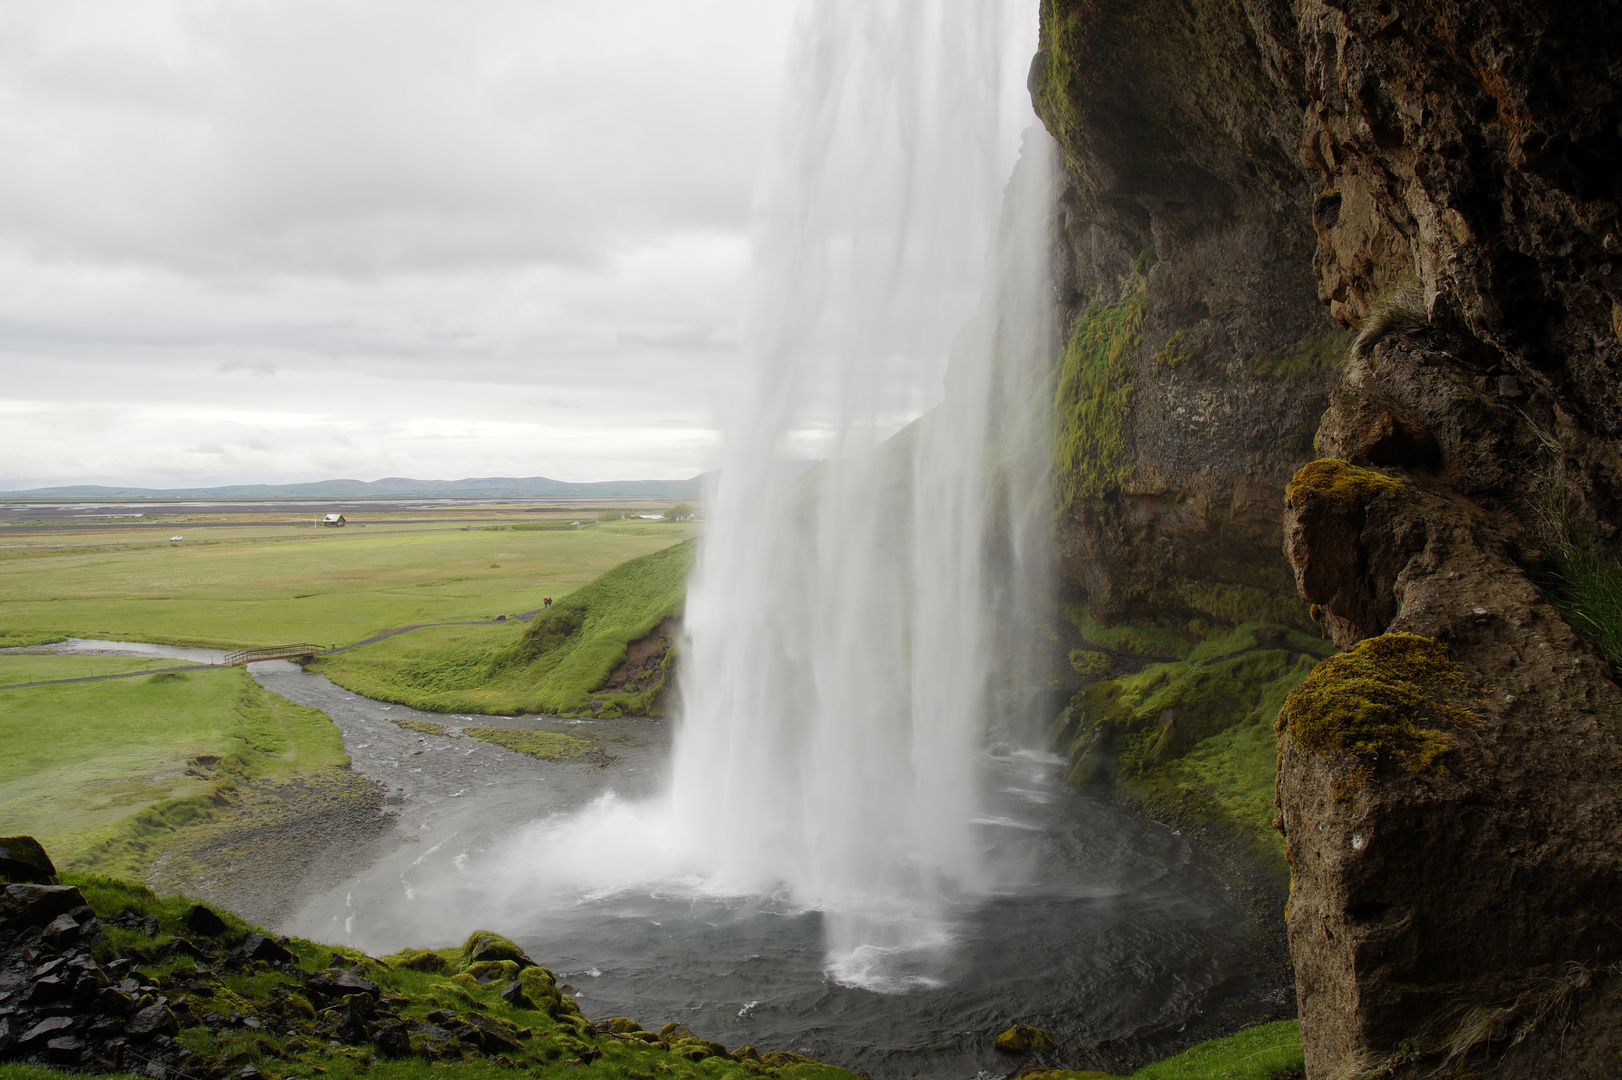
(1092, 400)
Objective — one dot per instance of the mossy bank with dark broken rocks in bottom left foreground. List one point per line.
(101, 975)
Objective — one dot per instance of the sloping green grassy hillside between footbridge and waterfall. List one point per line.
(554, 666)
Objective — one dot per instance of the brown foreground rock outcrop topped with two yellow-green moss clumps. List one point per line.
(1454, 893)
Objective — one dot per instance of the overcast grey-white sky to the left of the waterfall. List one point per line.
(267, 241)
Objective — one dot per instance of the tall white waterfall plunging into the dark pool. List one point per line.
(846, 624)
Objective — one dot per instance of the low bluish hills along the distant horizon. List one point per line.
(392, 487)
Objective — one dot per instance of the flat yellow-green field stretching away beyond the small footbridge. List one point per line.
(322, 588)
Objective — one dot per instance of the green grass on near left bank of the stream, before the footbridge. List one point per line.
(103, 773)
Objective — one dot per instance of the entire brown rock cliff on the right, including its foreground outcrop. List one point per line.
(1396, 226)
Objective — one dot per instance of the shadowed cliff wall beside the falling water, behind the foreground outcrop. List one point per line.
(1199, 358)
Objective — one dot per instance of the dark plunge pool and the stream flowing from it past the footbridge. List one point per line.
(1104, 927)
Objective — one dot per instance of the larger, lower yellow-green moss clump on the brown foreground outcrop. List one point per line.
(1394, 696)
